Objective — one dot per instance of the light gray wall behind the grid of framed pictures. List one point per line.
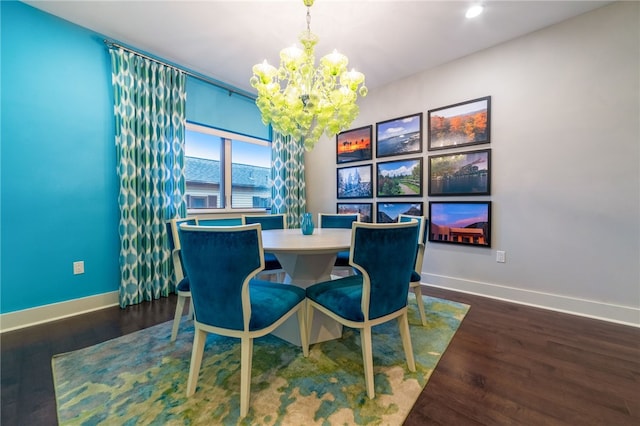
(565, 163)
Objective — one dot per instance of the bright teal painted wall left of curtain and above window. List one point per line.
(58, 178)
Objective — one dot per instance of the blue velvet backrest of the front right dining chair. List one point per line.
(384, 253)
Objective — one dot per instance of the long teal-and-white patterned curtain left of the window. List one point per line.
(149, 107)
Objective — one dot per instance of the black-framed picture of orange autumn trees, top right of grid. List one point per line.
(462, 124)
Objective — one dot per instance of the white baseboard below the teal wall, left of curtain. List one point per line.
(55, 311)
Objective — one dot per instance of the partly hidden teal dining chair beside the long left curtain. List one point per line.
(182, 282)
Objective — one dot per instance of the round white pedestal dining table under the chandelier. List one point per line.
(307, 259)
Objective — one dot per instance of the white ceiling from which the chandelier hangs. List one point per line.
(386, 40)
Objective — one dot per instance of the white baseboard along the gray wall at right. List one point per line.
(626, 315)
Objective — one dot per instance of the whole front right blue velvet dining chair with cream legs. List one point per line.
(383, 254)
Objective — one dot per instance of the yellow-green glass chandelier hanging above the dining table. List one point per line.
(302, 101)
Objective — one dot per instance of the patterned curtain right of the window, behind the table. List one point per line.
(287, 173)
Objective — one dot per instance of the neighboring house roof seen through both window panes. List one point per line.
(200, 170)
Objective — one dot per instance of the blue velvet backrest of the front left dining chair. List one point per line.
(220, 261)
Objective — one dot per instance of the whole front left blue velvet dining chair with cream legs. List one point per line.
(222, 264)
